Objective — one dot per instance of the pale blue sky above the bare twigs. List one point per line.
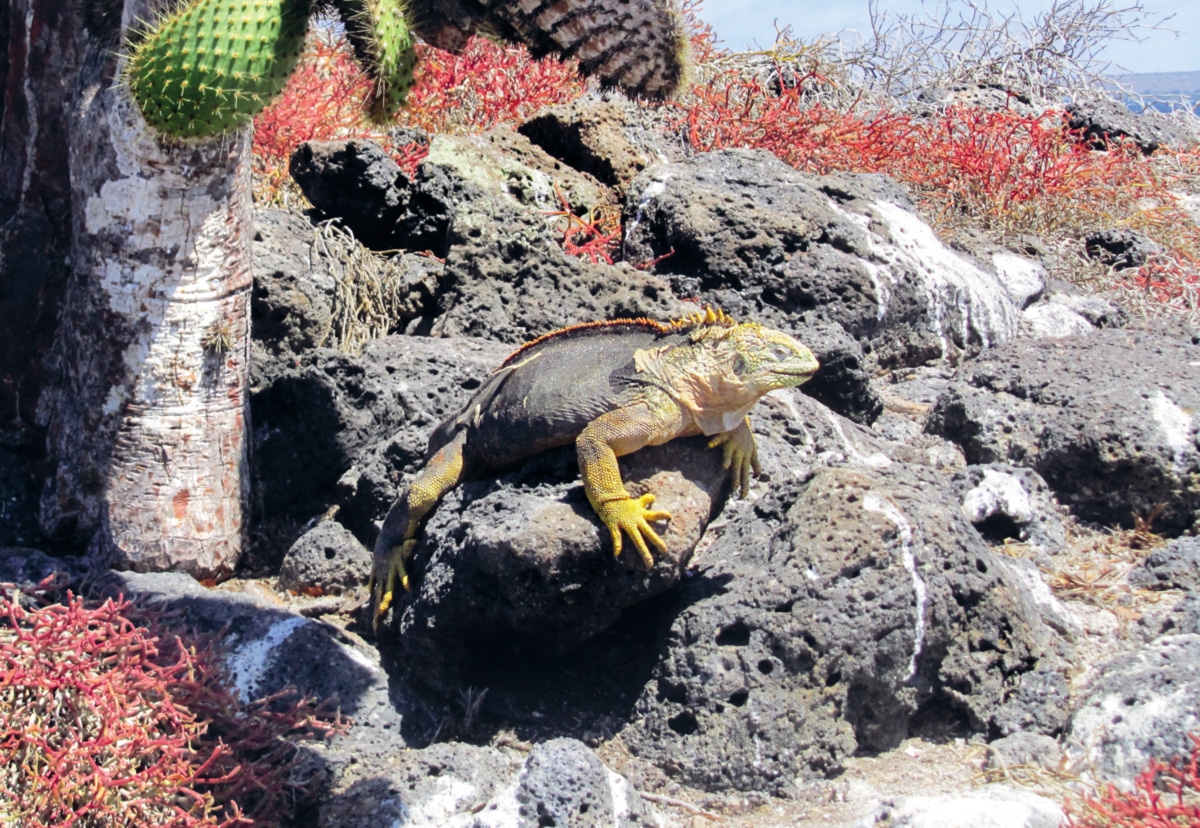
(743, 23)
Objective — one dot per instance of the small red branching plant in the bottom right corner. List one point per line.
(1166, 795)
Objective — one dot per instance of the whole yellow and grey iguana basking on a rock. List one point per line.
(610, 388)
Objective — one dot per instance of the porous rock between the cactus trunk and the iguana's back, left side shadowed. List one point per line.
(315, 422)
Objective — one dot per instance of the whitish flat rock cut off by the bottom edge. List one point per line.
(989, 807)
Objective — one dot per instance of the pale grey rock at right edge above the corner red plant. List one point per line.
(1138, 707)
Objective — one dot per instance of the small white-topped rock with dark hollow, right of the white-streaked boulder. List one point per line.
(1009, 503)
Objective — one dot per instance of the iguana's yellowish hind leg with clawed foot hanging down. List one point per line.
(398, 538)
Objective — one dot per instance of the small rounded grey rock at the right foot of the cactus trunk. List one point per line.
(326, 561)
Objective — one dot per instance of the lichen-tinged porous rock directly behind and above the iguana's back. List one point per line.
(483, 202)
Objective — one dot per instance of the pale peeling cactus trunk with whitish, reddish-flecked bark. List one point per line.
(147, 417)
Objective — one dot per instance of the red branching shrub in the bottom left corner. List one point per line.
(105, 722)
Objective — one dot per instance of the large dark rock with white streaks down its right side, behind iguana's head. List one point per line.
(746, 232)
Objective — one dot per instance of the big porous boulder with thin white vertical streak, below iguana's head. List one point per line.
(848, 601)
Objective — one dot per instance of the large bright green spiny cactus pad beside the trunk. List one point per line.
(212, 65)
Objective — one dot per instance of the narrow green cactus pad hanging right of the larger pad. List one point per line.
(386, 50)
